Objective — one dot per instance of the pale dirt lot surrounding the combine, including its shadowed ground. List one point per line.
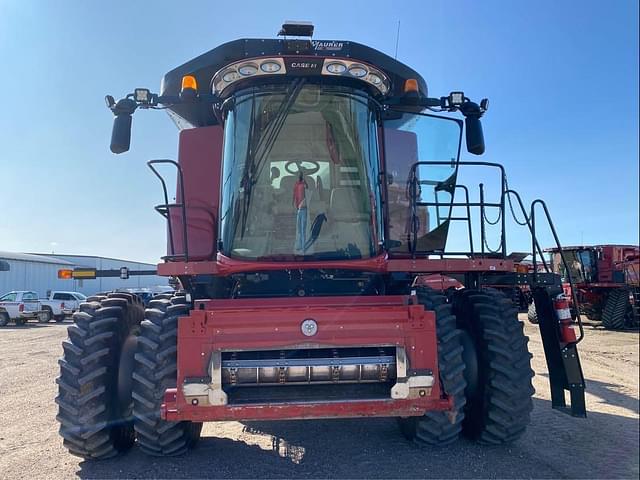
(555, 446)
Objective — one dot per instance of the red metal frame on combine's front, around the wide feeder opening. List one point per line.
(270, 324)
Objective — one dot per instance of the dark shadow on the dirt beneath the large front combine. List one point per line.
(556, 445)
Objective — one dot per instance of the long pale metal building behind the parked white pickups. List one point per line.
(39, 272)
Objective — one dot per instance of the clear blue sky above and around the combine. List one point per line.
(562, 78)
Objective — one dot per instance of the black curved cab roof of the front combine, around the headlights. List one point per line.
(299, 57)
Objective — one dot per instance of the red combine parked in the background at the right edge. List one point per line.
(606, 279)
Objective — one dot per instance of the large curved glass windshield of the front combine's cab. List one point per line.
(300, 174)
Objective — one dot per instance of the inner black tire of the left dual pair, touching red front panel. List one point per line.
(155, 371)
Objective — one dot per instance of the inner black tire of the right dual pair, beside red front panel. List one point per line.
(441, 428)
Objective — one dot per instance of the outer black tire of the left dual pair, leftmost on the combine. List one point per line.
(95, 421)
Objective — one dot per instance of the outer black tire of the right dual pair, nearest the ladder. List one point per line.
(499, 407)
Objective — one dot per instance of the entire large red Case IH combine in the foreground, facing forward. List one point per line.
(315, 182)
